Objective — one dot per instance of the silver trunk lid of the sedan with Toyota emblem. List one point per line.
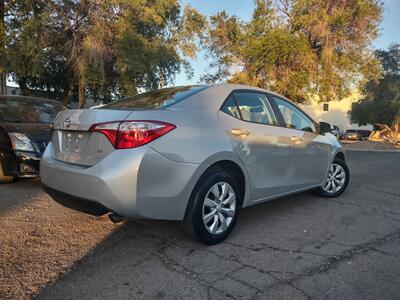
(74, 143)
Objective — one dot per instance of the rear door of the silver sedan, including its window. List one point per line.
(265, 150)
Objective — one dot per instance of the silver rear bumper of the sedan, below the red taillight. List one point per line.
(134, 183)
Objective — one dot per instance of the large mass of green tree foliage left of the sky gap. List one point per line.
(103, 49)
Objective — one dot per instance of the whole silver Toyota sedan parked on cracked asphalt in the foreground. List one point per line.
(197, 154)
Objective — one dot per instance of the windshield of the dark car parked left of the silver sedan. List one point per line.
(29, 110)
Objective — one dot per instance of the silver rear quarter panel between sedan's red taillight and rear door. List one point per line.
(198, 139)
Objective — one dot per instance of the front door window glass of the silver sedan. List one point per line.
(293, 117)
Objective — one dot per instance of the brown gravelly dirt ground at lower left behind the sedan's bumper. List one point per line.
(40, 240)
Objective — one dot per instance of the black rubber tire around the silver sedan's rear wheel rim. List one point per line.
(193, 224)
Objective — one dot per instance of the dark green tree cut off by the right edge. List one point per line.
(380, 104)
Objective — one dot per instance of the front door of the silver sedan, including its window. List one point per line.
(310, 150)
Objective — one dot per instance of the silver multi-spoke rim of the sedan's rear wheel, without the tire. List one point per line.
(219, 208)
